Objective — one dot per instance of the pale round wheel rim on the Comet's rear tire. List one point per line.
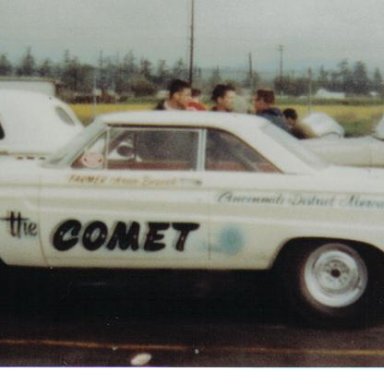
(335, 275)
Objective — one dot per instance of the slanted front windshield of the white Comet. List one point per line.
(64, 155)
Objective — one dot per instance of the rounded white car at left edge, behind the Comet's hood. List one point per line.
(33, 124)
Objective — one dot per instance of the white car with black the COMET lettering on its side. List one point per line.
(187, 190)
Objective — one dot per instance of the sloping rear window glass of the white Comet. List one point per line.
(294, 146)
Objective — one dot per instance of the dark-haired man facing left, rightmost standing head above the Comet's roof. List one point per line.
(264, 106)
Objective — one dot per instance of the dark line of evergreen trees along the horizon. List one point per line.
(130, 76)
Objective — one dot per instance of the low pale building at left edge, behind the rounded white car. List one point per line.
(36, 84)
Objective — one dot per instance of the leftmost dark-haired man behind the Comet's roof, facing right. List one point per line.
(179, 97)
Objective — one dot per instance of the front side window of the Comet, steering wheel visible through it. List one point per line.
(144, 149)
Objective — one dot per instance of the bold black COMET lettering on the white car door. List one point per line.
(96, 234)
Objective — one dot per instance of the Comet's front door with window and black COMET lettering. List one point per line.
(132, 198)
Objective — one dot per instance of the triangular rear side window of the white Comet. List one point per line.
(225, 152)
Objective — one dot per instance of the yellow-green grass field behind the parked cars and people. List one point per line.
(356, 119)
